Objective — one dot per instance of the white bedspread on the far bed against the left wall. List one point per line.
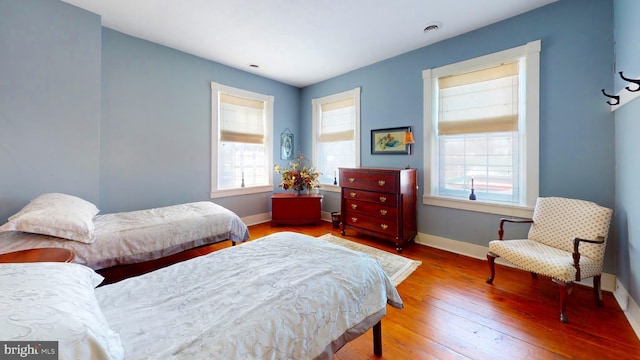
(136, 236)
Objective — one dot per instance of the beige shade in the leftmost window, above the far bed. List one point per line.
(241, 119)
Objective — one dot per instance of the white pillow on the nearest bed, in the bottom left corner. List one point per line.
(56, 302)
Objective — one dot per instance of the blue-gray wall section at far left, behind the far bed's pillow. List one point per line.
(49, 102)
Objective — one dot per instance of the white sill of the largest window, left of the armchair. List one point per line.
(479, 206)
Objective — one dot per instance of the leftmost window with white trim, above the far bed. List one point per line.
(242, 159)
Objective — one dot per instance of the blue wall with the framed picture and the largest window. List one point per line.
(576, 126)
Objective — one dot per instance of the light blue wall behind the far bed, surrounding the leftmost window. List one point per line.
(156, 125)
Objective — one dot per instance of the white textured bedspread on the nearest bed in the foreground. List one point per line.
(285, 296)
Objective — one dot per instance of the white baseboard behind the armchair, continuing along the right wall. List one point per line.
(609, 281)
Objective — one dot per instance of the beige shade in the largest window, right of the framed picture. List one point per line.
(479, 102)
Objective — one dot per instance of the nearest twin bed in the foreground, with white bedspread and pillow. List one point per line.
(286, 295)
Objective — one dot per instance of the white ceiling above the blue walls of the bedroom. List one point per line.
(299, 42)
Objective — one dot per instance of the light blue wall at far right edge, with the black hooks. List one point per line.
(627, 124)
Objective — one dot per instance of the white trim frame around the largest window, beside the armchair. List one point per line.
(532, 114)
